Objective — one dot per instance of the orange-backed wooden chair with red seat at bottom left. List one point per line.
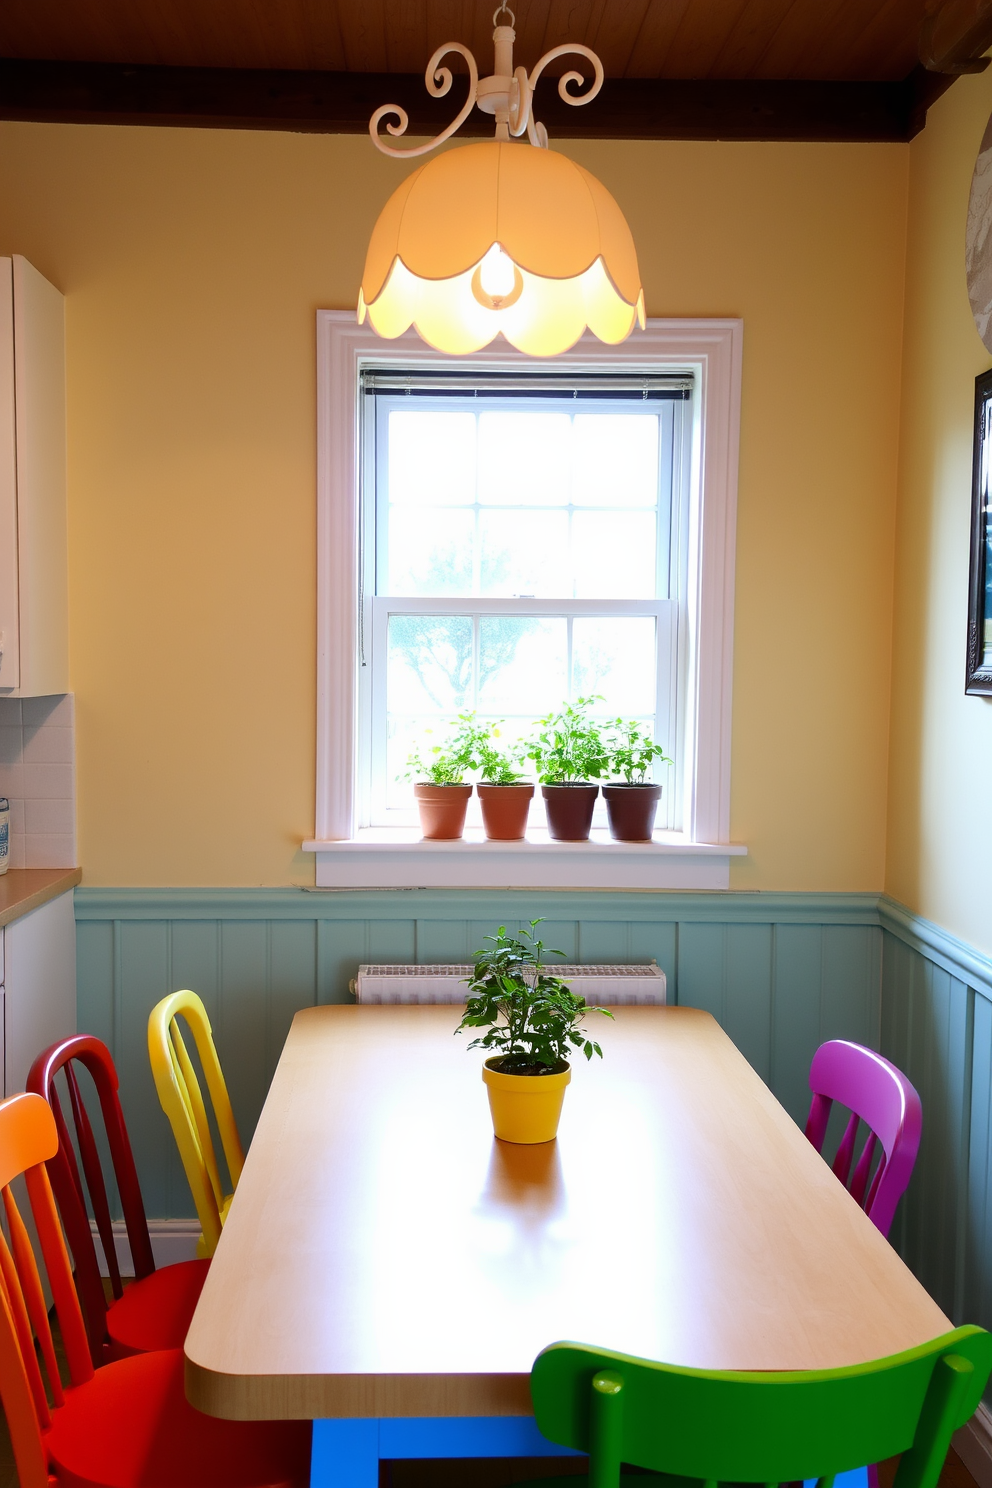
(127, 1425)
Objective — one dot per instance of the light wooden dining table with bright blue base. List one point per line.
(390, 1271)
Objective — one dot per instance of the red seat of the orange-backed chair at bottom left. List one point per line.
(132, 1428)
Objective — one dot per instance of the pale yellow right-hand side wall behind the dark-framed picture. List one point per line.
(941, 804)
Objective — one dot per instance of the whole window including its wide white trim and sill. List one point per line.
(462, 504)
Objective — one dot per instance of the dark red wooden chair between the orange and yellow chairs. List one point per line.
(157, 1309)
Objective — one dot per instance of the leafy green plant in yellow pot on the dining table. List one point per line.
(533, 1022)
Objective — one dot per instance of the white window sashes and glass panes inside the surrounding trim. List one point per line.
(524, 545)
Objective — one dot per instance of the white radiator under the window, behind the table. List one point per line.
(605, 986)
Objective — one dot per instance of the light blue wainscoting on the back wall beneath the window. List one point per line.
(782, 972)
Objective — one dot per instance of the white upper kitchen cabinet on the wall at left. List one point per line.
(33, 551)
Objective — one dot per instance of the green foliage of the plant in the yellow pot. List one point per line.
(533, 1019)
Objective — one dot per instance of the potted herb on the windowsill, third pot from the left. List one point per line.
(570, 755)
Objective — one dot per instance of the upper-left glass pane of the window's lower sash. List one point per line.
(429, 667)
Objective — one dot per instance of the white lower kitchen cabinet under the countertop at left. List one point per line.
(39, 986)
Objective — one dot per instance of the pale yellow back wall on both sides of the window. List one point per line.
(193, 264)
